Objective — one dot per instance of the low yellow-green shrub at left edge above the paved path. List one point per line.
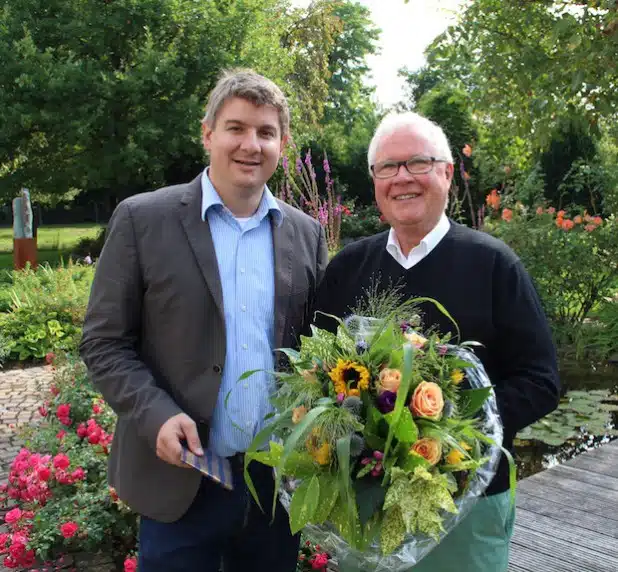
(47, 310)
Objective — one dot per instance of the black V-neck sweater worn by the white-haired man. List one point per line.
(485, 288)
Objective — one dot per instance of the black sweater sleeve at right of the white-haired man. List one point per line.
(527, 385)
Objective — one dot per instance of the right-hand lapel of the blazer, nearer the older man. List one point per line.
(283, 243)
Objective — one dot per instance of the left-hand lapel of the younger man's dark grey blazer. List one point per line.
(200, 240)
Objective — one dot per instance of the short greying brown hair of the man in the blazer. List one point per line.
(253, 87)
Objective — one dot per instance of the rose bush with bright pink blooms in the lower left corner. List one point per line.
(57, 492)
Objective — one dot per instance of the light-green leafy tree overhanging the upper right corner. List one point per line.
(526, 65)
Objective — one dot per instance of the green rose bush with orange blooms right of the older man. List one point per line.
(573, 261)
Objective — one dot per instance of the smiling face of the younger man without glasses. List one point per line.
(244, 144)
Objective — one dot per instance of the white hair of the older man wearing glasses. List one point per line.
(425, 127)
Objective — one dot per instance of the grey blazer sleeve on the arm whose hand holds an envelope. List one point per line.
(110, 341)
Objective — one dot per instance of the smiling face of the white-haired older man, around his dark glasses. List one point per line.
(411, 200)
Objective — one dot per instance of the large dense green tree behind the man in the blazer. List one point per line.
(107, 95)
